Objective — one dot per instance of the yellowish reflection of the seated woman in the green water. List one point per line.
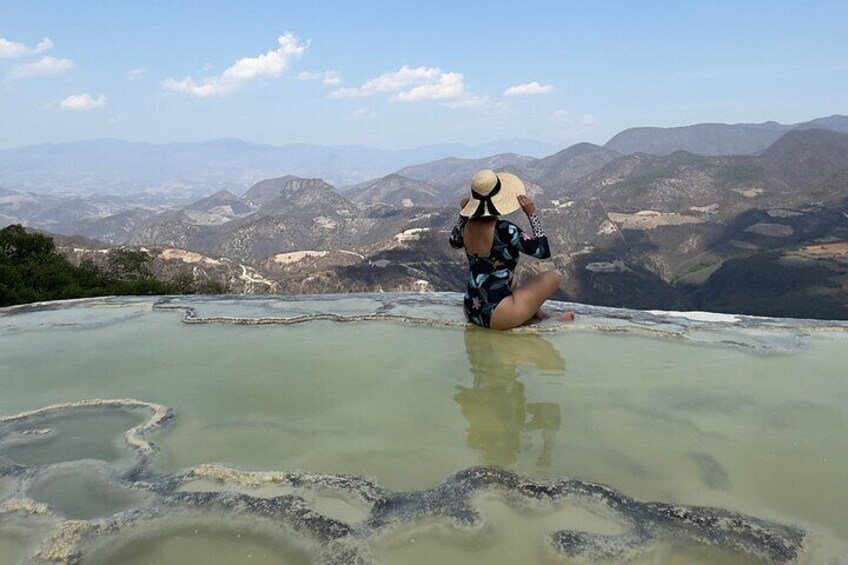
(496, 406)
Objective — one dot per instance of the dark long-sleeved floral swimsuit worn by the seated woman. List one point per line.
(490, 277)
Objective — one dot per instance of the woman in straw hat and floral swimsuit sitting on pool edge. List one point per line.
(492, 246)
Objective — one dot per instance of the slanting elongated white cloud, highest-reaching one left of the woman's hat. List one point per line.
(244, 71)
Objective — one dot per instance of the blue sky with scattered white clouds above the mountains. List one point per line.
(403, 74)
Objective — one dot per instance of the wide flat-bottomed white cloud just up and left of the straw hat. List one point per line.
(417, 84)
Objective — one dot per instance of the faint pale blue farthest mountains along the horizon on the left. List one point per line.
(192, 169)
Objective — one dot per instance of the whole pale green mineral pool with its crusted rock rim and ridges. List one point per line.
(381, 429)
